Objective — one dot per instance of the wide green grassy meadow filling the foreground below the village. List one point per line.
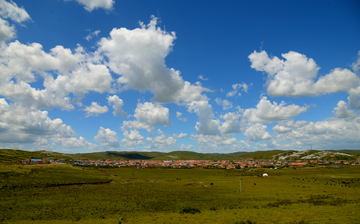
(71, 194)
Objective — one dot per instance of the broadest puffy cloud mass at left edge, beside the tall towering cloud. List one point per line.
(77, 73)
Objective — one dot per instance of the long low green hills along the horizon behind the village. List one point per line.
(11, 156)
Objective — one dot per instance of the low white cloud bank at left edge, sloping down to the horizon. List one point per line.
(19, 125)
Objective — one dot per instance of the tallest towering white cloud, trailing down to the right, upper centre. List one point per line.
(138, 56)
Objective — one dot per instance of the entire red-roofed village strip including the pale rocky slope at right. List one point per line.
(293, 159)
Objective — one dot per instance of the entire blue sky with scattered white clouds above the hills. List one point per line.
(108, 75)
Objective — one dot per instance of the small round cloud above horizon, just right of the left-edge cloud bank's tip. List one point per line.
(107, 138)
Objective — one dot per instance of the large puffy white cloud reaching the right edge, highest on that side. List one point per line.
(296, 75)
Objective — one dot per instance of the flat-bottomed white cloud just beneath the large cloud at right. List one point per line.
(267, 112)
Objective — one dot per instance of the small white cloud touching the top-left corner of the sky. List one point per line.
(12, 11)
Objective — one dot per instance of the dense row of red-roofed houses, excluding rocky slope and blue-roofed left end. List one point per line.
(226, 164)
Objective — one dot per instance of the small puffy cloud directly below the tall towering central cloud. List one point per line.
(148, 115)
